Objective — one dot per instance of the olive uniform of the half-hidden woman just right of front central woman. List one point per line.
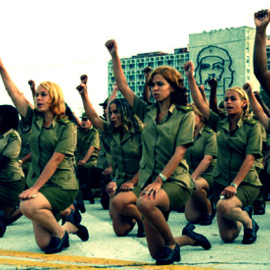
(205, 143)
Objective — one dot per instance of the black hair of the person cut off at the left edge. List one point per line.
(10, 117)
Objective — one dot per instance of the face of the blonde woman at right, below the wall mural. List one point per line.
(233, 103)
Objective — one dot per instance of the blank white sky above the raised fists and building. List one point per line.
(60, 40)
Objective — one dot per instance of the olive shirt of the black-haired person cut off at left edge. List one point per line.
(10, 146)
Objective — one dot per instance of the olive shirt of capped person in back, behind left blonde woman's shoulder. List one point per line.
(86, 139)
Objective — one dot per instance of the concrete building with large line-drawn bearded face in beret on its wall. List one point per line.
(225, 54)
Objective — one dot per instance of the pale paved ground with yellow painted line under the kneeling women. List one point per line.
(106, 251)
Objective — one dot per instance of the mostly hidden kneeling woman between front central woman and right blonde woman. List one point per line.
(201, 159)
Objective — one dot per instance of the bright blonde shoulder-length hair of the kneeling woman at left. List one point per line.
(58, 106)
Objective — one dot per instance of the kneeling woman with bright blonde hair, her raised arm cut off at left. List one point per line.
(51, 178)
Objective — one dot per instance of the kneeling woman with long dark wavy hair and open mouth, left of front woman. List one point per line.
(124, 132)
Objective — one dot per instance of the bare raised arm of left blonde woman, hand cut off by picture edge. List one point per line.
(16, 96)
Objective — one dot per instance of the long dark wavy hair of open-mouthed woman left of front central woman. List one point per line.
(131, 122)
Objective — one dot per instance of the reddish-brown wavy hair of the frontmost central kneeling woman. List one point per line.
(179, 96)
